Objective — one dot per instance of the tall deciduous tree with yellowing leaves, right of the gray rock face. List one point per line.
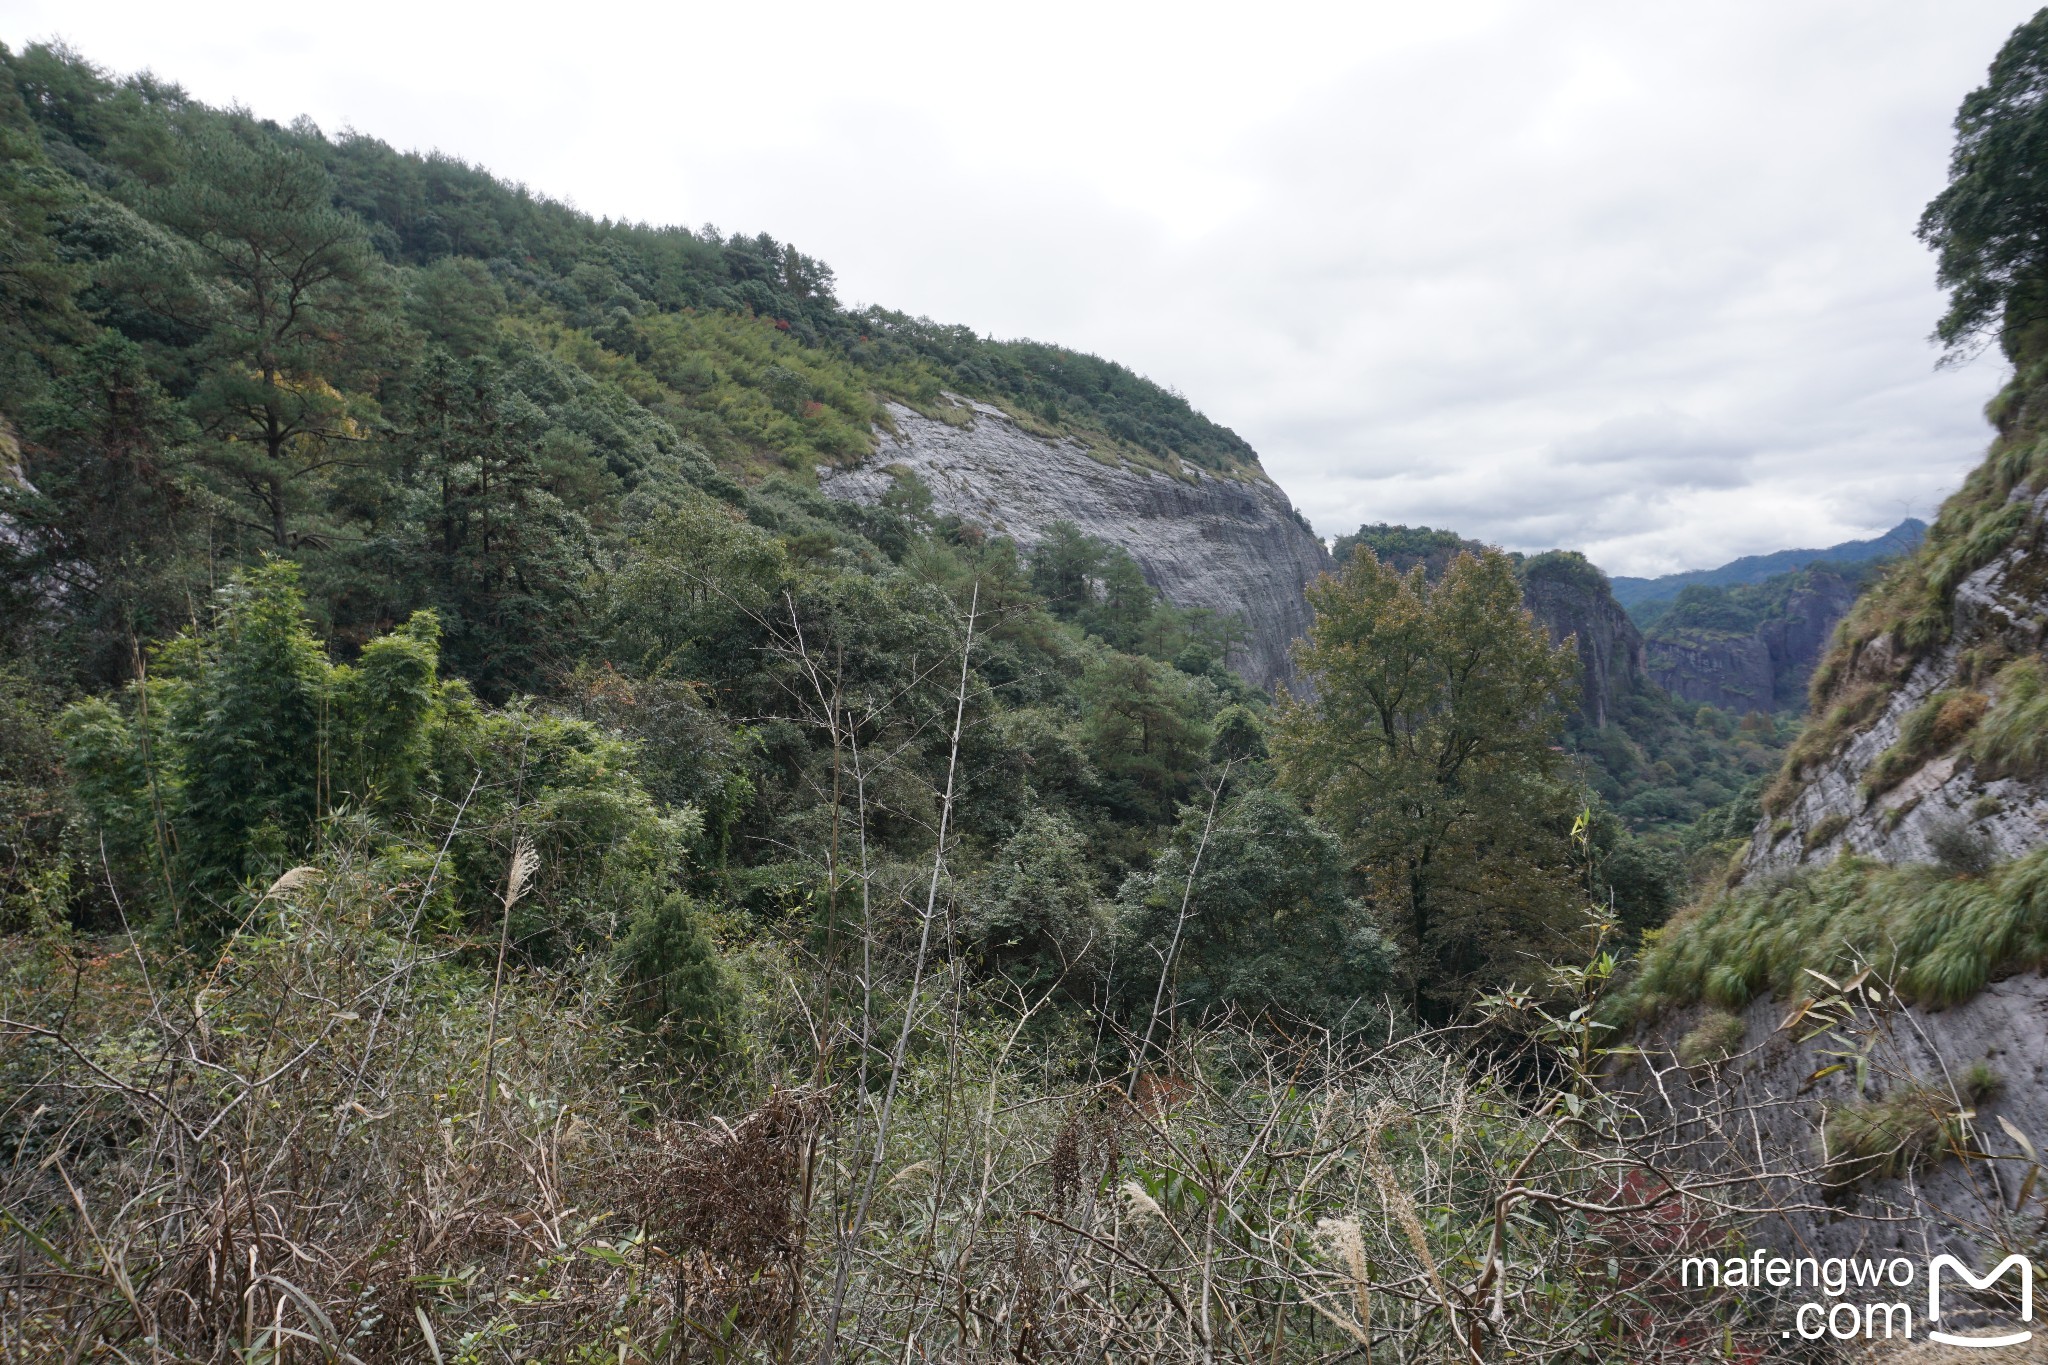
(1428, 742)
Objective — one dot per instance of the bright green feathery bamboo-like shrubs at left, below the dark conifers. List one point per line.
(226, 768)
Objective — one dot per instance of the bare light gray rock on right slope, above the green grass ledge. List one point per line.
(2000, 605)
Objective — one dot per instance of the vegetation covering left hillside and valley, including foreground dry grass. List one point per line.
(499, 867)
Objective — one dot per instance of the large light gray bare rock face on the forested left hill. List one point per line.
(1230, 545)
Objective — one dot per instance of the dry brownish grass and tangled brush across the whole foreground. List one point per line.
(288, 1157)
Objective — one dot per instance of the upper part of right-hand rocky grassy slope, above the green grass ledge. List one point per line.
(1926, 744)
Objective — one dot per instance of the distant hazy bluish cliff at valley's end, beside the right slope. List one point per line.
(1752, 648)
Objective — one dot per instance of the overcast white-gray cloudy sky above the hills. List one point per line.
(1625, 277)
